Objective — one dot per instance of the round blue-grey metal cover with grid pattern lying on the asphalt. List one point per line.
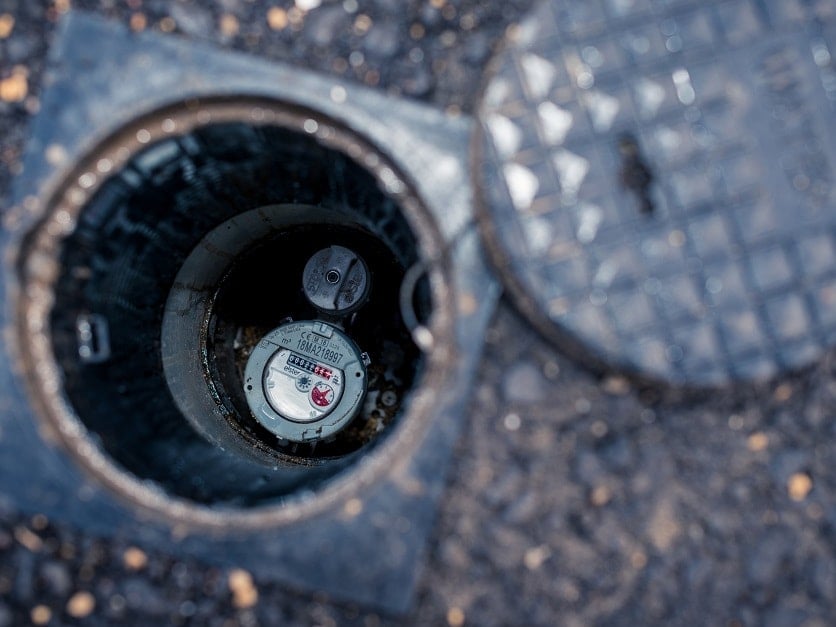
(657, 182)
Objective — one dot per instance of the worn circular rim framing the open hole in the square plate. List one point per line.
(36, 241)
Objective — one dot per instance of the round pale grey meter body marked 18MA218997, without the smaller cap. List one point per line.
(305, 381)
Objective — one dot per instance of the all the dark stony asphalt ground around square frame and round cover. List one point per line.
(575, 498)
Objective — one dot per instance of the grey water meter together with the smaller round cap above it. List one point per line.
(306, 380)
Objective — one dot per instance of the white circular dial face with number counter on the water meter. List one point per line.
(300, 388)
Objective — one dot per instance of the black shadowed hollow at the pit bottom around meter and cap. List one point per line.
(264, 287)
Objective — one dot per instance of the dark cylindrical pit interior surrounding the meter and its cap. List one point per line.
(182, 261)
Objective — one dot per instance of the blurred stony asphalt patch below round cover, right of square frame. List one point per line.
(638, 506)
